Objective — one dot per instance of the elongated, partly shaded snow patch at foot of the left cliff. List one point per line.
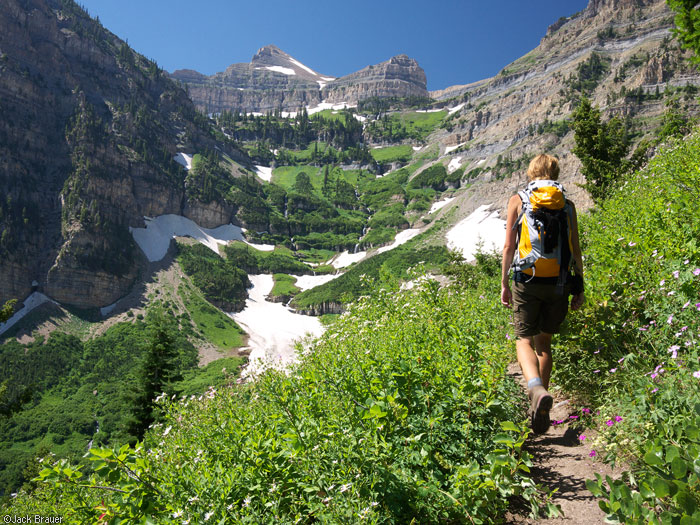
(155, 238)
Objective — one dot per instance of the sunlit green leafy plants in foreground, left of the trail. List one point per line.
(419, 428)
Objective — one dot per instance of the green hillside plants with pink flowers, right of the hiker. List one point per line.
(633, 349)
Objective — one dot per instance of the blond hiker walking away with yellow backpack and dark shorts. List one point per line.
(542, 246)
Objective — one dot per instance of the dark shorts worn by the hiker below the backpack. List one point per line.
(538, 308)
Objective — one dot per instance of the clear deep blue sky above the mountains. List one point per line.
(454, 41)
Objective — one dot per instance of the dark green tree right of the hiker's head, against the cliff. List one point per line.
(601, 148)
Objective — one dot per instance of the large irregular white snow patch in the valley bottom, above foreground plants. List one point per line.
(272, 328)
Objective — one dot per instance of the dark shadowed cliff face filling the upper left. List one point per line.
(88, 133)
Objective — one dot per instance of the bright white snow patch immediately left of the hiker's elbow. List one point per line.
(481, 227)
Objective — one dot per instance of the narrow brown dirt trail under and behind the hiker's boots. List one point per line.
(561, 461)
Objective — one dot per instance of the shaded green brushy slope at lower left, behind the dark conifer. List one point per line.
(62, 393)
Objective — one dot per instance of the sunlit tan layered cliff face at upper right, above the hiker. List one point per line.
(509, 118)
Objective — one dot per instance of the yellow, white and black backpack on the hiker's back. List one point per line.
(543, 232)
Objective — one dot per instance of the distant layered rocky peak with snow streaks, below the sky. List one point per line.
(274, 80)
